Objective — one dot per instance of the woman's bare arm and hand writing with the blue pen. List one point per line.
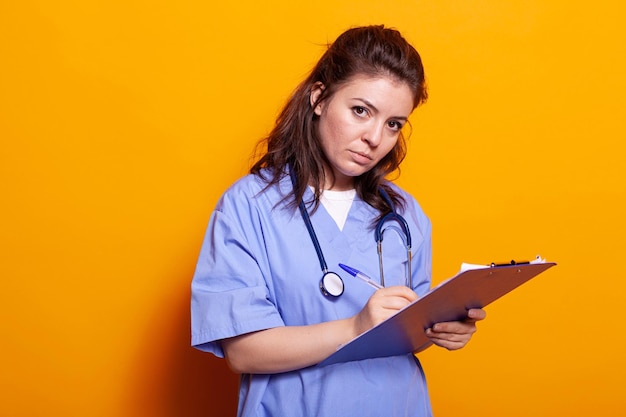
(283, 349)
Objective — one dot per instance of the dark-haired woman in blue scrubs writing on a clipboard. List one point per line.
(256, 298)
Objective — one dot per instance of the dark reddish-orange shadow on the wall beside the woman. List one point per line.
(176, 380)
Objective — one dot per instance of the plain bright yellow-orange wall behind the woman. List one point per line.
(121, 122)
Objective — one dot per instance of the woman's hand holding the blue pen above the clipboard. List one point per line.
(382, 305)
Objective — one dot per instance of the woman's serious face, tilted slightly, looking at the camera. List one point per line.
(359, 124)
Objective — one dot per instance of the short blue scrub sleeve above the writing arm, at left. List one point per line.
(229, 295)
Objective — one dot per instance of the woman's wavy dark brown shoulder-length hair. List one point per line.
(294, 144)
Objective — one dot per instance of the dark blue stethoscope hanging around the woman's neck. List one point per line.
(331, 284)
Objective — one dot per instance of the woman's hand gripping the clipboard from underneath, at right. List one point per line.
(455, 334)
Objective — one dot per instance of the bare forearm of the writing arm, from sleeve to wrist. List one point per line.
(283, 349)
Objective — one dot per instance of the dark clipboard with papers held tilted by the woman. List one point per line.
(404, 332)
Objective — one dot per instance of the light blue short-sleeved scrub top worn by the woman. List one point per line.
(258, 269)
